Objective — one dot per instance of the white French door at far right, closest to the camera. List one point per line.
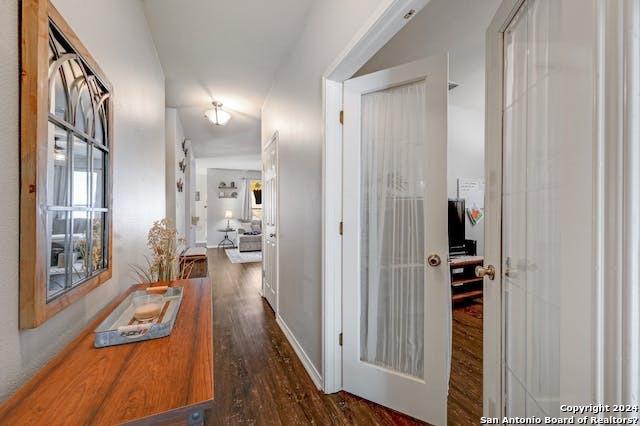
(546, 259)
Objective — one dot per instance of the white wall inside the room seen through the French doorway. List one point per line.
(456, 27)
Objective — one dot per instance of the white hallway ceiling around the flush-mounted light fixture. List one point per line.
(226, 50)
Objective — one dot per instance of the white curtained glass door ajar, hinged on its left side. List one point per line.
(396, 307)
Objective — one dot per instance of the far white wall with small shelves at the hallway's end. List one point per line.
(217, 206)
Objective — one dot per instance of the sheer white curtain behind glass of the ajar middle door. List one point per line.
(393, 237)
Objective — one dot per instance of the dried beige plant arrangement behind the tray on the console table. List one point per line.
(162, 265)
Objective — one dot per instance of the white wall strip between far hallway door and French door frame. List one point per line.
(294, 108)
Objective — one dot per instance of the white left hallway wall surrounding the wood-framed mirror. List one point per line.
(116, 34)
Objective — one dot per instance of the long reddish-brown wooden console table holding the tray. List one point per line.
(161, 381)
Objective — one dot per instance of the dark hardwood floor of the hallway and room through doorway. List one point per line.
(260, 380)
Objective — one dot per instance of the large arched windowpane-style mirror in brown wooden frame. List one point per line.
(66, 144)
